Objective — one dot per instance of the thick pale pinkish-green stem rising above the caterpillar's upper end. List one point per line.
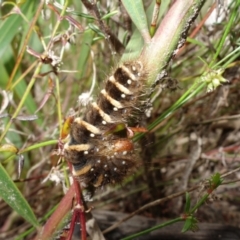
(170, 36)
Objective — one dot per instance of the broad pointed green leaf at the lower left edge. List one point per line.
(13, 197)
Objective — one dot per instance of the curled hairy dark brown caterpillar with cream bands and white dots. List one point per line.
(100, 155)
